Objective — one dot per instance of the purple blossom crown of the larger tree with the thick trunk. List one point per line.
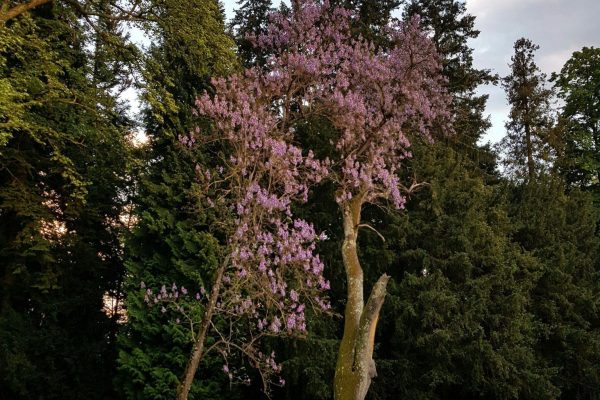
(373, 98)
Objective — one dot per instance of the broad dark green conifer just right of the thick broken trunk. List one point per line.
(457, 323)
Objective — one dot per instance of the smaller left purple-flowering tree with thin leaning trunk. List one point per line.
(269, 269)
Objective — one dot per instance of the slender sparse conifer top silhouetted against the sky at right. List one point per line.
(526, 146)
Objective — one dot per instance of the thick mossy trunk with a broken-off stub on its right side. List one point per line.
(355, 366)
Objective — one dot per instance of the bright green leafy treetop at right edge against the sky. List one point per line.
(578, 86)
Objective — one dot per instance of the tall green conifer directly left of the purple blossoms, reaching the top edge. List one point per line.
(169, 242)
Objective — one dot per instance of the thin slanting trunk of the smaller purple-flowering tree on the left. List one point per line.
(190, 370)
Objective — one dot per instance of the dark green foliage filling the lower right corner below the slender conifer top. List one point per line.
(559, 230)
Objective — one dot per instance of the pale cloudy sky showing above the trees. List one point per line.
(559, 27)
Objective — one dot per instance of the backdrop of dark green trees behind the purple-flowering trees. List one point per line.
(494, 263)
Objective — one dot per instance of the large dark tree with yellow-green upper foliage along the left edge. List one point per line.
(63, 158)
